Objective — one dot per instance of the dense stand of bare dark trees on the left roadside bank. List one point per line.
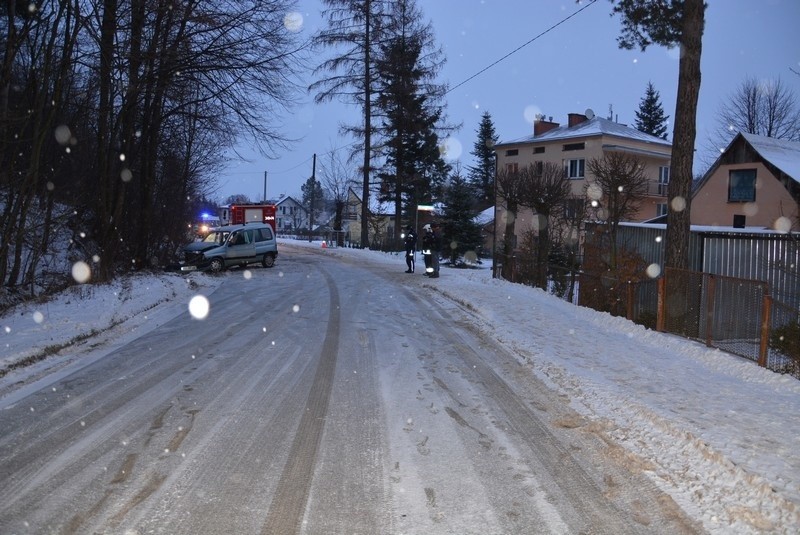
(144, 114)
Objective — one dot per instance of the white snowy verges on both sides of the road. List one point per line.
(716, 432)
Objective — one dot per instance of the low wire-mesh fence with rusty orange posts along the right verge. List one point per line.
(733, 314)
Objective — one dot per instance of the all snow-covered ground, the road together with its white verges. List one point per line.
(335, 393)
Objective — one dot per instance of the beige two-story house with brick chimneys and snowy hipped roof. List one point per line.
(572, 146)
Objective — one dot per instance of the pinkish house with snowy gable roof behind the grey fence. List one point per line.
(755, 183)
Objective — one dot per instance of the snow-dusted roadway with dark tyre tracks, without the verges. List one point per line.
(327, 396)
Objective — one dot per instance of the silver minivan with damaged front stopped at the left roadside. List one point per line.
(231, 245)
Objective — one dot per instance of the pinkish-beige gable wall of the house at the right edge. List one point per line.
(710, 205)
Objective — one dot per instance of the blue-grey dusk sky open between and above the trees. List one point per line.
(569, 69)
